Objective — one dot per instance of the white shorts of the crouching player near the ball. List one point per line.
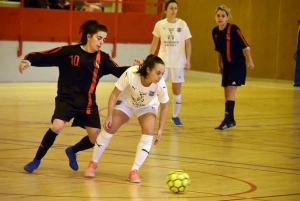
(121, 105)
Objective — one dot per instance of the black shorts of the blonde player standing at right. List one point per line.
(234, 74)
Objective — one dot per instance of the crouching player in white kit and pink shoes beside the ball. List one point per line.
(140, 90)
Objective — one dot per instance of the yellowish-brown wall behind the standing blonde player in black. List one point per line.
(269, 26)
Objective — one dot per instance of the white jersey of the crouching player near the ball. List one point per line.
(138, 96)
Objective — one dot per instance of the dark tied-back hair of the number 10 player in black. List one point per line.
(90, 27)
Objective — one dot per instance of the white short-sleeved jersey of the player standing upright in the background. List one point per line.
(172, 42)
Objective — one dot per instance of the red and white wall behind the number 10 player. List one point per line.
(43, 29)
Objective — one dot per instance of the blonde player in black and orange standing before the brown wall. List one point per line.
(231, 48)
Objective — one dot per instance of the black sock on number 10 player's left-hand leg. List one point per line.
(46, 143)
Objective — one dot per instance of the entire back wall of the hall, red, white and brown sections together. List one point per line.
(270, 27)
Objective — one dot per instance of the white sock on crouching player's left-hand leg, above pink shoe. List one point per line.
(101, 144)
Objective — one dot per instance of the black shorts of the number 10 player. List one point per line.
(64, 111)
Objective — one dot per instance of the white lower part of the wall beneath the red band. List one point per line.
(9, 61)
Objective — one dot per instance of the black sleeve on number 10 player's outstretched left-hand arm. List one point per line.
(45, 58)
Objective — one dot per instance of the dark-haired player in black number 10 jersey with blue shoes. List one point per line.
(80, 68)
